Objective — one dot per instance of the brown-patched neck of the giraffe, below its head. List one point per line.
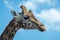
(10, 31)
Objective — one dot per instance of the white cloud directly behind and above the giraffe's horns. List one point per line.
(30, 5)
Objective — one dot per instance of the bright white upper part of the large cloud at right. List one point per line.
(51, 15)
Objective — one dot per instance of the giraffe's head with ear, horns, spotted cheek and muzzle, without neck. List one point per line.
(28, 20)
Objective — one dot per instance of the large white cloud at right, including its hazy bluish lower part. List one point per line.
(50, 18)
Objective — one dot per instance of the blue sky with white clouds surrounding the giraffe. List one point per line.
(46, 11)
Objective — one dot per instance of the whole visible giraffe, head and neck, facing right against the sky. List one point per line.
(24, 20)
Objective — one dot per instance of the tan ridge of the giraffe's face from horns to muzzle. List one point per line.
(29, 13)
